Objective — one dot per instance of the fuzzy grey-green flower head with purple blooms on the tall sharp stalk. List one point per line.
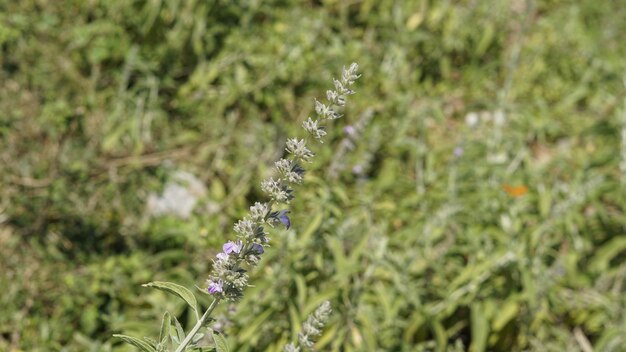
(228, 279)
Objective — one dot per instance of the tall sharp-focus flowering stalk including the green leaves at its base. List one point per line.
(228, 278)
